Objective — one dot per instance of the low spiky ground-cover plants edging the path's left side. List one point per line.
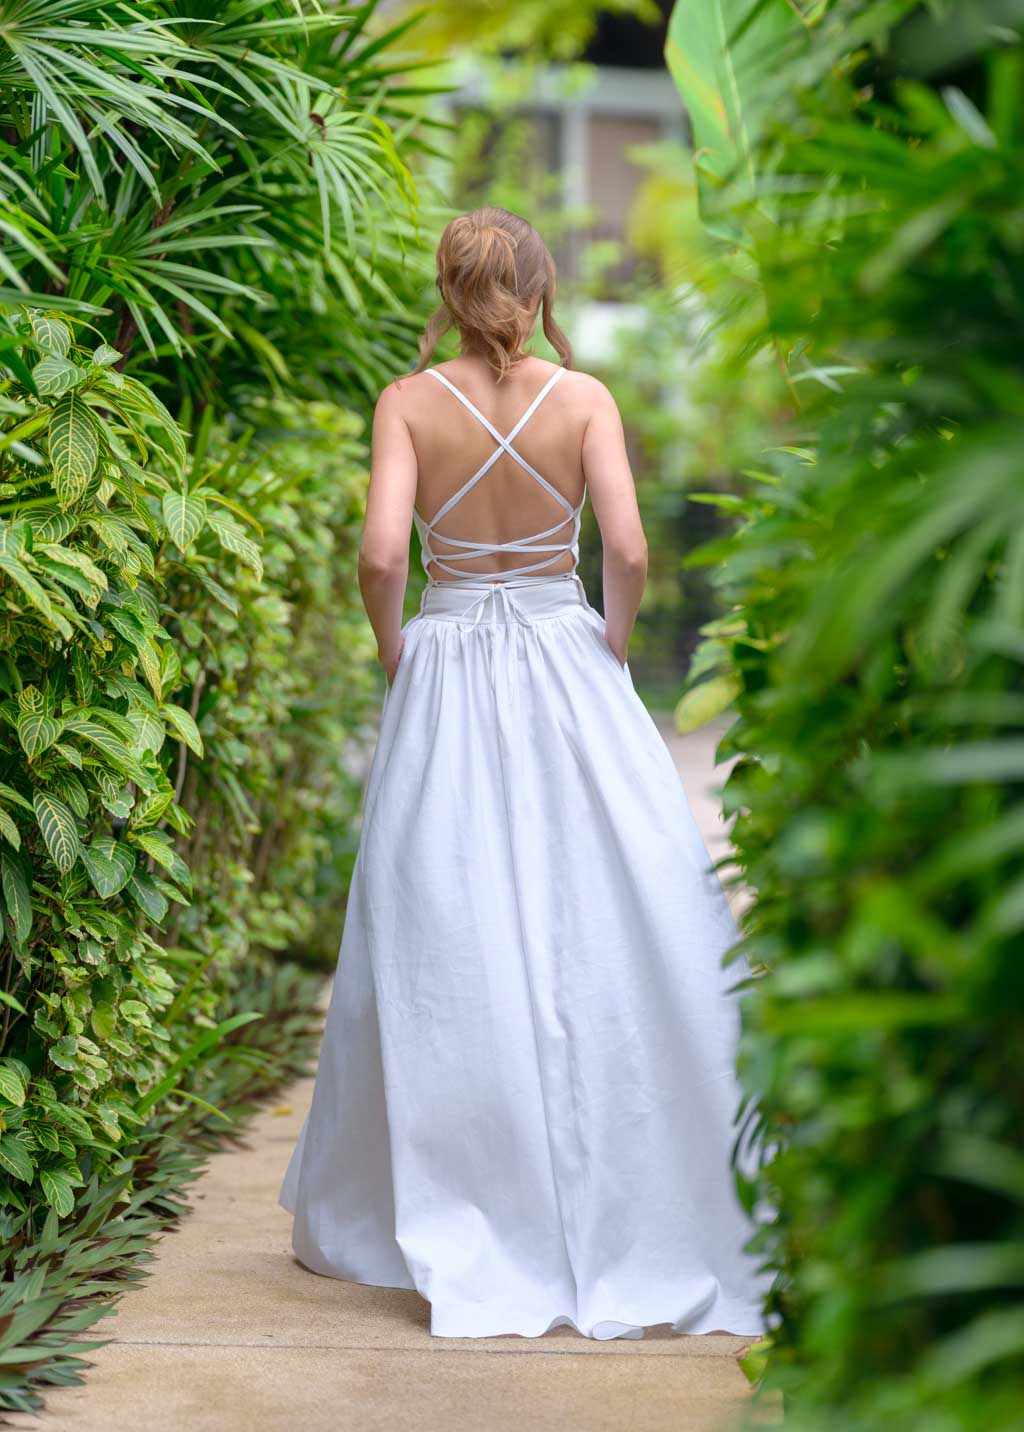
(58, 1279)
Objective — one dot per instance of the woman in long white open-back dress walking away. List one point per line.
(526, 1092)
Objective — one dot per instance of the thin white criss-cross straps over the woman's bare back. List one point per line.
(522, 545)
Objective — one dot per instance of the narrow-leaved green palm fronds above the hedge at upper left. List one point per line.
(221, 178)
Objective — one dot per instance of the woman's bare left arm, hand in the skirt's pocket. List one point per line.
(386, 532)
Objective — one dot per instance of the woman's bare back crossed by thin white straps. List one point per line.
(532, 515)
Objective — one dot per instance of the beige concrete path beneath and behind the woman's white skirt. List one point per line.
(230, 1334)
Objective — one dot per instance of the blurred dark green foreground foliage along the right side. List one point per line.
(877, 626)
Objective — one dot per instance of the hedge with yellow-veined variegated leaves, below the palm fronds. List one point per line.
(184, 672)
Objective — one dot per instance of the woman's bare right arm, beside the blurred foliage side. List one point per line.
(614, 499)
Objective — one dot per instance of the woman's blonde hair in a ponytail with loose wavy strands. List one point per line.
(492, 267)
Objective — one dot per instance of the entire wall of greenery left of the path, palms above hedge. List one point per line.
(210, 243)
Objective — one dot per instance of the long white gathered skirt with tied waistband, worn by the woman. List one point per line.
(526, 1093)
